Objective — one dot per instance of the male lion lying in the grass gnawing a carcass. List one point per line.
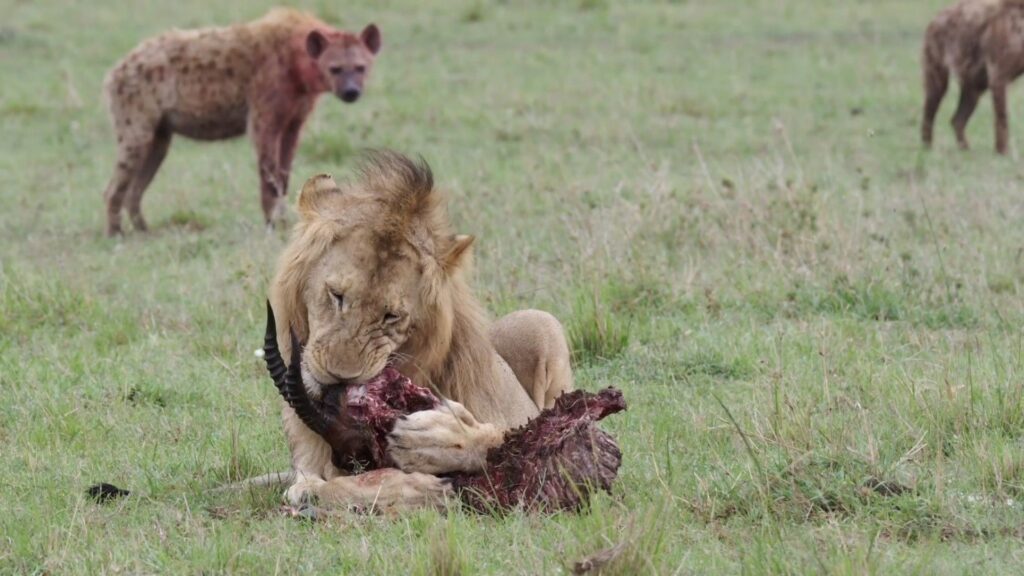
(375, 276)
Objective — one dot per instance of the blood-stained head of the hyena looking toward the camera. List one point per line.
(345, 59)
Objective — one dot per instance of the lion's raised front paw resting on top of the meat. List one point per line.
(441, 441)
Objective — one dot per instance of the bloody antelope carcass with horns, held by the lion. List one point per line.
(553, 463)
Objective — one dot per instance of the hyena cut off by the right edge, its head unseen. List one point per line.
(983, 44)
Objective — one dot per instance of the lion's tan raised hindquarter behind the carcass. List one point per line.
(533, 343)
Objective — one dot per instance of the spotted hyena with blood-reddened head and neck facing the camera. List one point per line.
(262, 77)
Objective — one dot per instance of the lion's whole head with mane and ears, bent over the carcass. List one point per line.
(374, 275)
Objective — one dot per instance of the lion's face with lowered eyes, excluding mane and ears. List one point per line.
(364, 301)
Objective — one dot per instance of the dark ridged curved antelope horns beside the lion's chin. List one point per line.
(289, 380)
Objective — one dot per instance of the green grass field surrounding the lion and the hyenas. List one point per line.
(818, 325)
